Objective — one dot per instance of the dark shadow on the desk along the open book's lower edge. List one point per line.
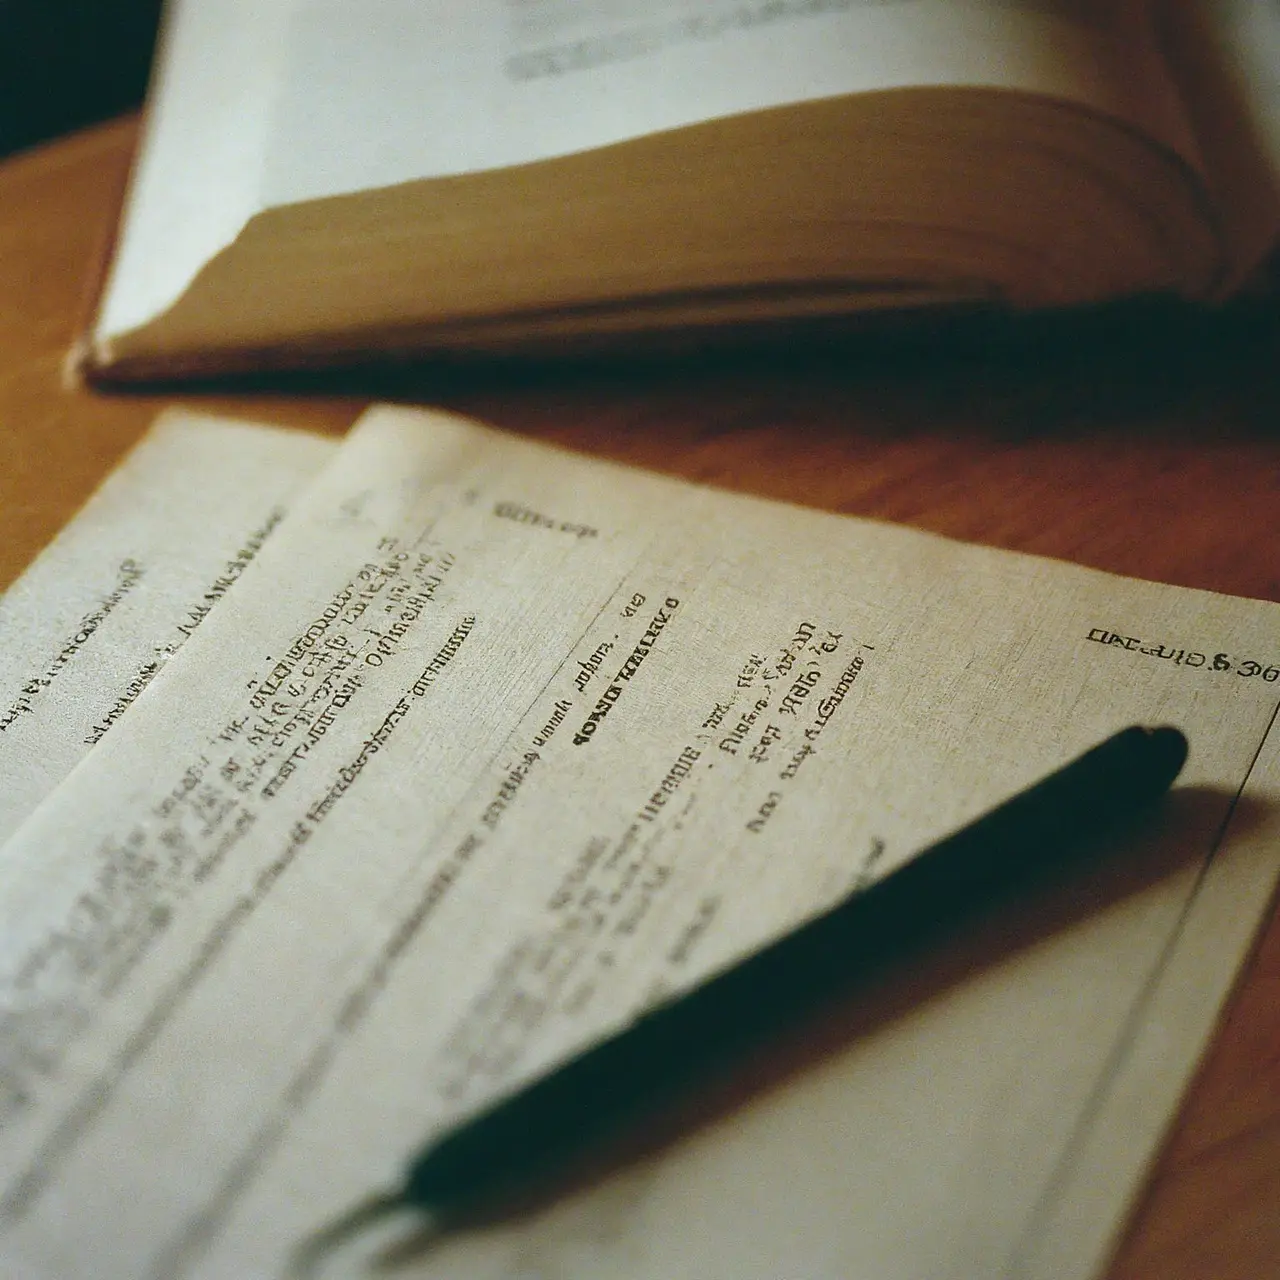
(1148, 360)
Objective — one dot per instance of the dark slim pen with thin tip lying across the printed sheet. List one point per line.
(598, 1095)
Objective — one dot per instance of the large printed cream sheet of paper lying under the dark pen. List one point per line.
(493, 746)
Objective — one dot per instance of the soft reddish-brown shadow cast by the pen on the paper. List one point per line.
(1160, 845)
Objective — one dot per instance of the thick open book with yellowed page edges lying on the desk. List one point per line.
(322, 182)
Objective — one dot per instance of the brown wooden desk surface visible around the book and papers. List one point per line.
(1171, 470)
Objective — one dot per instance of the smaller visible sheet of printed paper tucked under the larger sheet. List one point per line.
(122, 588)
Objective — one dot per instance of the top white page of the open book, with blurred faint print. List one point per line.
(528, 80)
